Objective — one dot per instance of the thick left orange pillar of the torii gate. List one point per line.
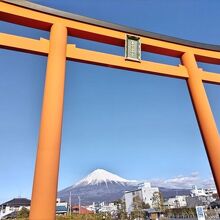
(43, 202)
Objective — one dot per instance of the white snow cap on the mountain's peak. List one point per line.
(99, 176)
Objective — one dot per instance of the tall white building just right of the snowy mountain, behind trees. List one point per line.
(145, 192)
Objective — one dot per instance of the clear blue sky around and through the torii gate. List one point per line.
(136, 125)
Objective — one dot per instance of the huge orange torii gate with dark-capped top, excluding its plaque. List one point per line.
(61, 24)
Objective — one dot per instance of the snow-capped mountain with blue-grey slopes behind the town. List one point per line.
(101, 185)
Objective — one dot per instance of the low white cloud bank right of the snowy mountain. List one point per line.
(182, 181)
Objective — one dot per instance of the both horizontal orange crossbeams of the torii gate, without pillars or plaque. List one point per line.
(36, 16)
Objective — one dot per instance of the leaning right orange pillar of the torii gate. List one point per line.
(204, 115)
